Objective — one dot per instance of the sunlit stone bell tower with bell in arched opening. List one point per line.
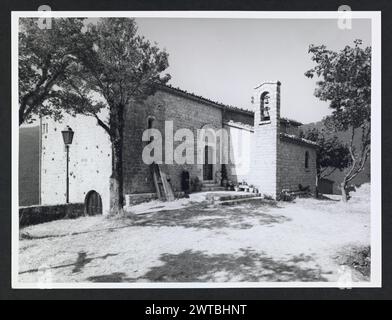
(263, 164)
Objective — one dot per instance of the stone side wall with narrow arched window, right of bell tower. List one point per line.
(291, 169)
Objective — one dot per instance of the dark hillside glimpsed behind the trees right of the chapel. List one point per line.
(337, 176)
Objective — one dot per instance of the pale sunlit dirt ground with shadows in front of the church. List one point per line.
(194, 241)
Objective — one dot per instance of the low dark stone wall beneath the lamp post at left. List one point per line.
(40, 214)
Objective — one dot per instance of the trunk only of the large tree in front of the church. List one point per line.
(116, 179)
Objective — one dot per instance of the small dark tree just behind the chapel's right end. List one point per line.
(332, 154)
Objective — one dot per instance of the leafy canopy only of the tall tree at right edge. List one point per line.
(344, 81)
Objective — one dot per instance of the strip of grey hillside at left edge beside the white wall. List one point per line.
(28, 166)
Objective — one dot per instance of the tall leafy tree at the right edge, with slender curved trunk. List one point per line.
(345, 82)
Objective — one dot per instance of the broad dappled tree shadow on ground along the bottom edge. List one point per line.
(197, 266)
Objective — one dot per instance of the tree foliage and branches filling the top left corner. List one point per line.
(45, 56)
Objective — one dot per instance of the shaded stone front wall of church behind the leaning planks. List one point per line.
(164, 106)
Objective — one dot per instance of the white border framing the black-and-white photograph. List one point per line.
(376, 197)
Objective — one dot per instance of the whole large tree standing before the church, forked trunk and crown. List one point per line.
(116, 68)
